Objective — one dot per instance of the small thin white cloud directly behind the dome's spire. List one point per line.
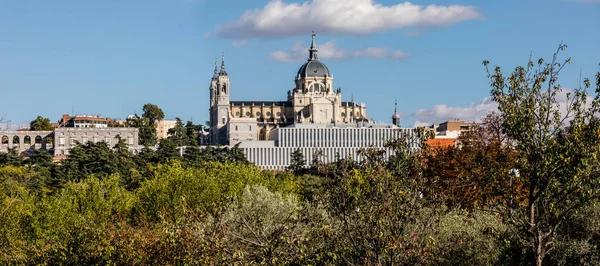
(298, 53)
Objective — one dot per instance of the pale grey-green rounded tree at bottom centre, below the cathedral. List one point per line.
(269, 228)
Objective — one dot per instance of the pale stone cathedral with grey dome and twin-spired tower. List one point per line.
(313, 100)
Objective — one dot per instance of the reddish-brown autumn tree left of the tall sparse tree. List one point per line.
(478, 170)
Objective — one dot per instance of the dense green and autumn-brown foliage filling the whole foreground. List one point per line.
(519, 189)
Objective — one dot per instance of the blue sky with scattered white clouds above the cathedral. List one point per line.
(111, 57)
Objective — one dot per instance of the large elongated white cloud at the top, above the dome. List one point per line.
(349, 17)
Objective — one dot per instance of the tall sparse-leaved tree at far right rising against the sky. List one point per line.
(560, 142)
